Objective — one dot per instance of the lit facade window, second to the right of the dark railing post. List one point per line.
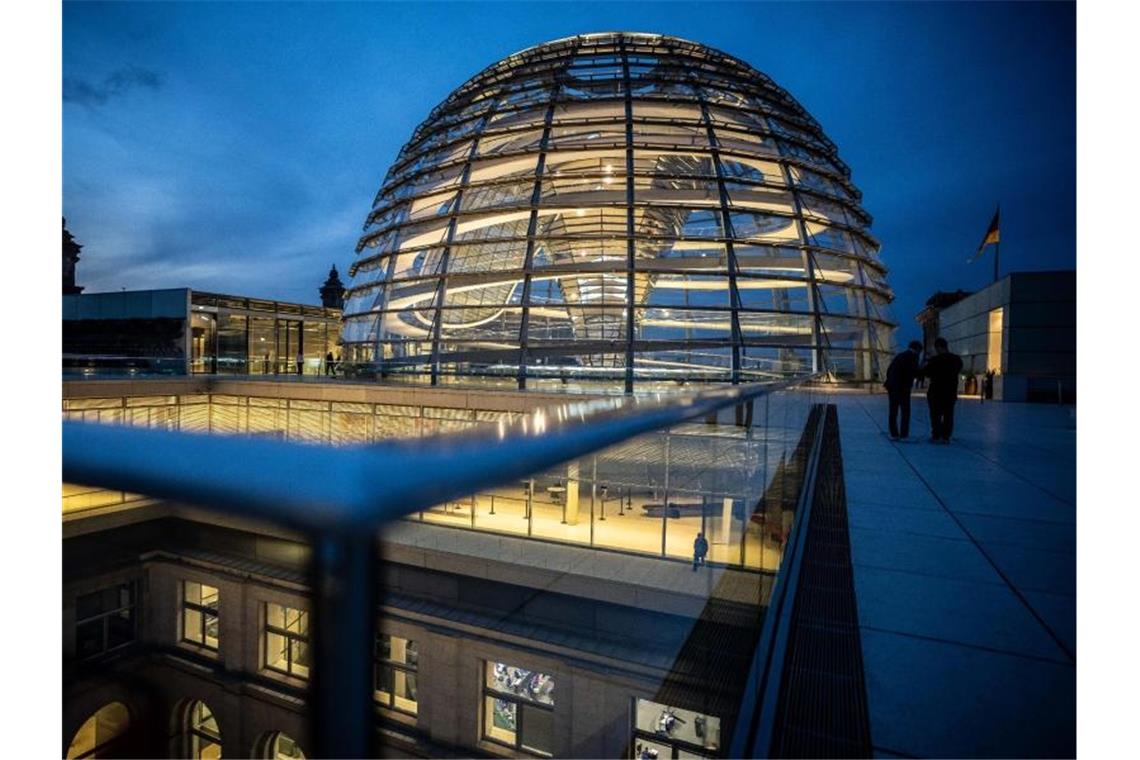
(519, 708)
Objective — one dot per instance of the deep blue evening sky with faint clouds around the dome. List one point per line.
(238, 148)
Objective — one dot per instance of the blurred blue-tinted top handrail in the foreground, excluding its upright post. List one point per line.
(317, 487)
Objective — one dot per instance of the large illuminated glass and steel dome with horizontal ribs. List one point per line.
(622, 208)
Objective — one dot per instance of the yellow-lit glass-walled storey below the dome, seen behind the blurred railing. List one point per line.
(648, 496)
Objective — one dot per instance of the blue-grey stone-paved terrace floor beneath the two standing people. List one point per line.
(965, 571)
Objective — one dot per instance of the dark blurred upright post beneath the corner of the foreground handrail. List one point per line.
(343, 635)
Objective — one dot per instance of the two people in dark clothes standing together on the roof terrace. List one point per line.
(942, 370)
